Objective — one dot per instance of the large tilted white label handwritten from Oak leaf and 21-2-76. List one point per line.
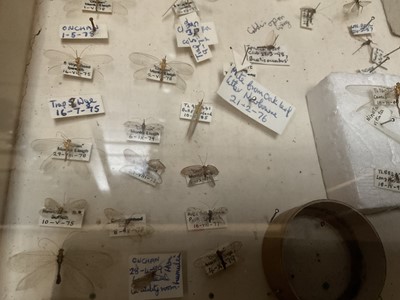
(255, 101)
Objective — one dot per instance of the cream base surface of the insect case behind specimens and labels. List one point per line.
(259, 171)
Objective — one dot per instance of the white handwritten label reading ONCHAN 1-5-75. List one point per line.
(83, 32)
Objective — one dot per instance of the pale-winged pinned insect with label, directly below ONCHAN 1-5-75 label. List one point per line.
(74, 64)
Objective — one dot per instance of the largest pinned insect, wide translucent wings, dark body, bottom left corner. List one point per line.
(67, 265)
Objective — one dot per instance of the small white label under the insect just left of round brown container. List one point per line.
(197, 219)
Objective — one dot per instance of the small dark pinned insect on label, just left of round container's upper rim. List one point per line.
(203, 218)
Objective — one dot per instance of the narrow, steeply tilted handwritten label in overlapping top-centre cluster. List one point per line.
(191, 27)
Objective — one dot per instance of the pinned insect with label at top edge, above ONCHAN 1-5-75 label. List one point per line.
(73, 7)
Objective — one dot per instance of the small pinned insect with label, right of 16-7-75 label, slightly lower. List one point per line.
(143, 132)
